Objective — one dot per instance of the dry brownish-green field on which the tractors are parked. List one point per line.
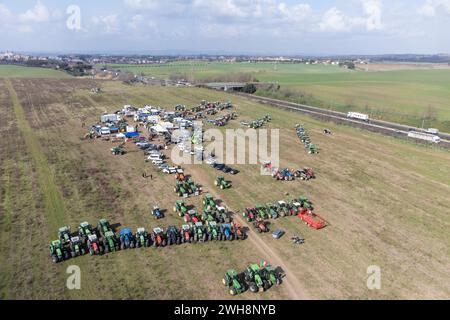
(386, 201)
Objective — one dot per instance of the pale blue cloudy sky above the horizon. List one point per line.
(226, 26)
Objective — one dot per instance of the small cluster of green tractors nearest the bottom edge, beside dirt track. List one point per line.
(256, 278)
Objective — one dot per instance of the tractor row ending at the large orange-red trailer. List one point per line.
(302, 207)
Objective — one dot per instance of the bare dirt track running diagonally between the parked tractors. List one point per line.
(290, 282)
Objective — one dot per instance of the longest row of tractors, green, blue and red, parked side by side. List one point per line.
(103, 239)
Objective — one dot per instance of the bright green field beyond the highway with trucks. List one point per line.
(404, 96)
